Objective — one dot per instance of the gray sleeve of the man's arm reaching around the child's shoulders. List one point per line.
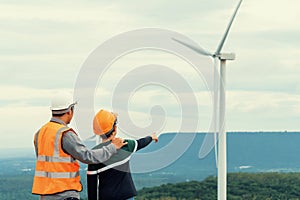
(72, 145)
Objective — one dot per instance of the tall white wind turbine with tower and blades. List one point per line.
(222, 146)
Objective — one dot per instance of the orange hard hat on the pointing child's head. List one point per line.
(104, 122)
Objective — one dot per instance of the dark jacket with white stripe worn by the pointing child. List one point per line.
(114, 176)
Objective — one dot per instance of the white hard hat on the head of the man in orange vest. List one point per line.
(62, 102)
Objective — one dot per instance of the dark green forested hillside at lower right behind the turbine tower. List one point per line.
(241, 186)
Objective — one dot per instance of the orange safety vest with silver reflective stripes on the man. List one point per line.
(55, 170)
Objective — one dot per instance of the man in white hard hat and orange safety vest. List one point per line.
(58, 148)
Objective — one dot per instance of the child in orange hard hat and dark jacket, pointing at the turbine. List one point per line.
(111, 180)
